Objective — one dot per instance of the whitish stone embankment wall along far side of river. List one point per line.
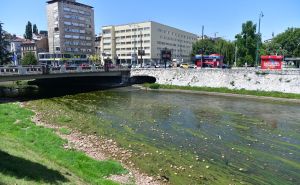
(287, 81)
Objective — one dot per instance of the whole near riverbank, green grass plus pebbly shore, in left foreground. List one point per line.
(33, 152)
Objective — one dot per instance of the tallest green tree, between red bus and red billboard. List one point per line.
(246, 42)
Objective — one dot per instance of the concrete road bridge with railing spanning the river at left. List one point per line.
(42, 72)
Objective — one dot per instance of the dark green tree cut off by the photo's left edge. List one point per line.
(5, 55)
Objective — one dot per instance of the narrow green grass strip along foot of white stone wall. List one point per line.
(232, 91)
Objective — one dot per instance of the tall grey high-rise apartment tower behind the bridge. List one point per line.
(70, 27)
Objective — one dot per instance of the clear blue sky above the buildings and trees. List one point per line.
(221, 18)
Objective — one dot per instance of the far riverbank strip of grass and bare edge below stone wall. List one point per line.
(258, 95)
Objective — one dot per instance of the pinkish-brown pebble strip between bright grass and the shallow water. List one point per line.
(99, 148)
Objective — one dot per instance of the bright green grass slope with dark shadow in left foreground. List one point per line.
(35, 155)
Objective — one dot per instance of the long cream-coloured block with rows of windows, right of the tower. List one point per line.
(123, 42)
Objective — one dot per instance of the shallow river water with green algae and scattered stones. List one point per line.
(197, 139)
